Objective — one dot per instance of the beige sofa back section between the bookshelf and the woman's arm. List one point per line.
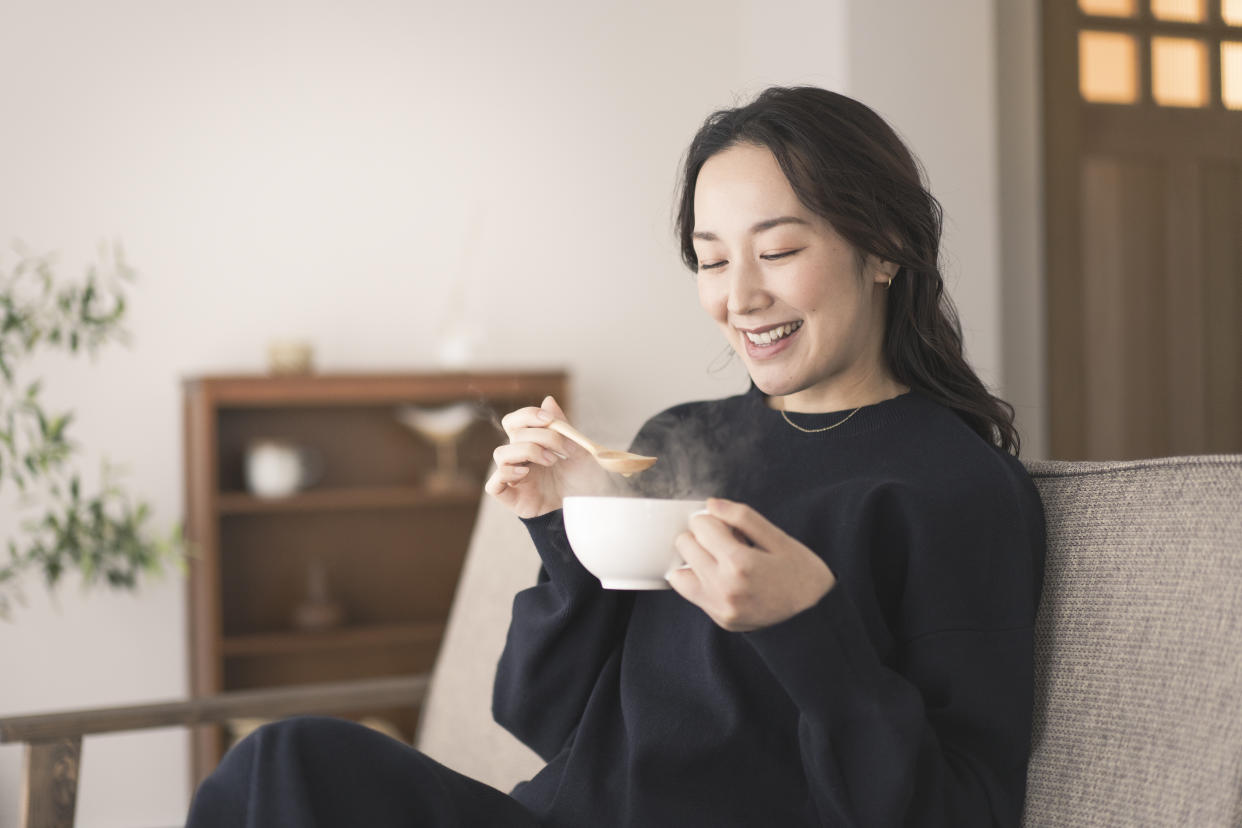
(456, 726)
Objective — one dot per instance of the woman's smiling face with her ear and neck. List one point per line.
(791, 295)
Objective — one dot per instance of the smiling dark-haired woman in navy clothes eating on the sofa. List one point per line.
(851, 641)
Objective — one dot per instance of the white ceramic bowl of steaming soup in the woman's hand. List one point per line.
(628, 543)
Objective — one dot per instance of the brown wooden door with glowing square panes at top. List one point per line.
(1143, 132)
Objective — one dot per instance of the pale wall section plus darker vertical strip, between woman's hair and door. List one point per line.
(958, 80)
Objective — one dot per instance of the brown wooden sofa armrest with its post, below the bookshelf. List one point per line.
(54, 742)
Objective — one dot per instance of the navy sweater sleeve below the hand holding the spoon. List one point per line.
(562, 634)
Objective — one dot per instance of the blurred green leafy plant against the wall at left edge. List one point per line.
(102, 536)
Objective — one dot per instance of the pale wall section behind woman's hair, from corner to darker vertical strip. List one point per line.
(928, 68)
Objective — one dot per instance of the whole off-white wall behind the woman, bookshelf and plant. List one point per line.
(332, 172)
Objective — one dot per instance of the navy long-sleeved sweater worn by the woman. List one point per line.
(902, 698)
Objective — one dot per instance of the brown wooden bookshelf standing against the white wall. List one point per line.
(392, 548)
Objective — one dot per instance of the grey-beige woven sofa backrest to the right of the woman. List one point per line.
(1140, 645)
